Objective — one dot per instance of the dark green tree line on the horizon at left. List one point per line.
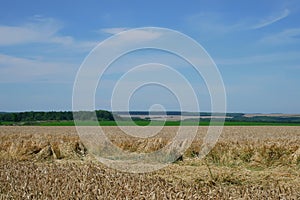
(101, 115)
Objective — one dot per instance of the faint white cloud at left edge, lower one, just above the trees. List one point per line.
(15, 69)
